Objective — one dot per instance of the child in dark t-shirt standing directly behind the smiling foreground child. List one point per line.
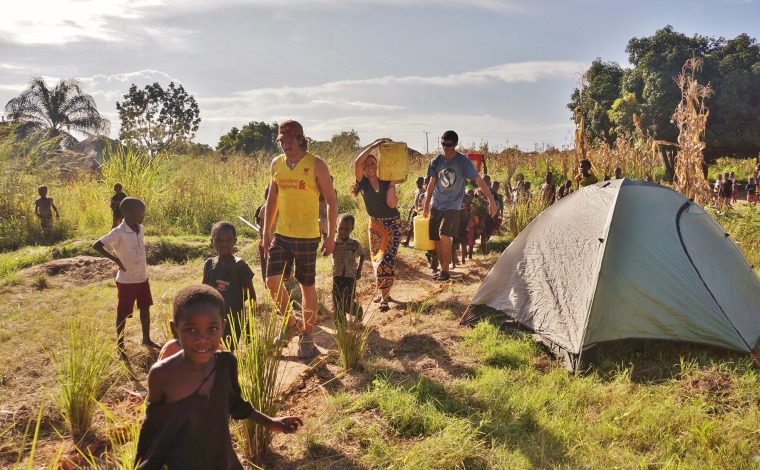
(229, 275)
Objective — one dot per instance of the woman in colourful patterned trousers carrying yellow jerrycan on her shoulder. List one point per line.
(380, 200)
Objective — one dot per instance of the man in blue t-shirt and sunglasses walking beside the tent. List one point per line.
(448, 174)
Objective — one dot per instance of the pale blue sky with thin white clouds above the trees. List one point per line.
(495, 71)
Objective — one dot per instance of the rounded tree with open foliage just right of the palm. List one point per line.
(158, 119)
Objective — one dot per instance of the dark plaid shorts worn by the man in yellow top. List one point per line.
(287, 250)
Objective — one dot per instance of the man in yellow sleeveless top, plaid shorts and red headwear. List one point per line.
(298, 178)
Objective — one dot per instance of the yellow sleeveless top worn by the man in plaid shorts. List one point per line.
(298, 210)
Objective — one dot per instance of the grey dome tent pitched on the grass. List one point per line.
(623, 259)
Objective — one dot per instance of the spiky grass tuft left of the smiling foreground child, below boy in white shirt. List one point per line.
(86, 368)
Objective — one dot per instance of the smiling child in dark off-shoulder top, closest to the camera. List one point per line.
(193, 394)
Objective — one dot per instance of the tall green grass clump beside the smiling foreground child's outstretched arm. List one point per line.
(258, 361)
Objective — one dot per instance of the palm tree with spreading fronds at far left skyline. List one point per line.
(56, 111)
